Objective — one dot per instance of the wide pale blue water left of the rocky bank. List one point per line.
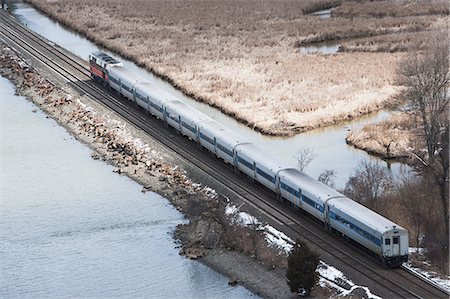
(72, 228)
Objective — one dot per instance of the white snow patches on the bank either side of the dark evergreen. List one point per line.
(329, 275)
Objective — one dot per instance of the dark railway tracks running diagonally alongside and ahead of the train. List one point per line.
(392, 283)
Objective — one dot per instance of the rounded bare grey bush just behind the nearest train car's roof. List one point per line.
(369, 183)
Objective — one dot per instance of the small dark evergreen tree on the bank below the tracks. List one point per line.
(302, 264)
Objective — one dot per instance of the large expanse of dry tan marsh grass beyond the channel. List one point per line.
(243, 56)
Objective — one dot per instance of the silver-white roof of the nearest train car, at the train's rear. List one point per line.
(364, 215)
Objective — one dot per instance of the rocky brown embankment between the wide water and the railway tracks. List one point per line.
(240, 252)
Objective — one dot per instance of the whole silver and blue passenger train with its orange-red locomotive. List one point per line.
(382, 237)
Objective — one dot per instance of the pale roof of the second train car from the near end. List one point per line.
(313, 186)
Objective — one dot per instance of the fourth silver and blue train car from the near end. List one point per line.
(219, 140)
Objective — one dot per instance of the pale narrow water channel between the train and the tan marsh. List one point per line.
(328, 144)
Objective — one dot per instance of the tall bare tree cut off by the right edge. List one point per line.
(425, 77)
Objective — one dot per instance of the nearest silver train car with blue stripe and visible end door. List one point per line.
(380, 235)
